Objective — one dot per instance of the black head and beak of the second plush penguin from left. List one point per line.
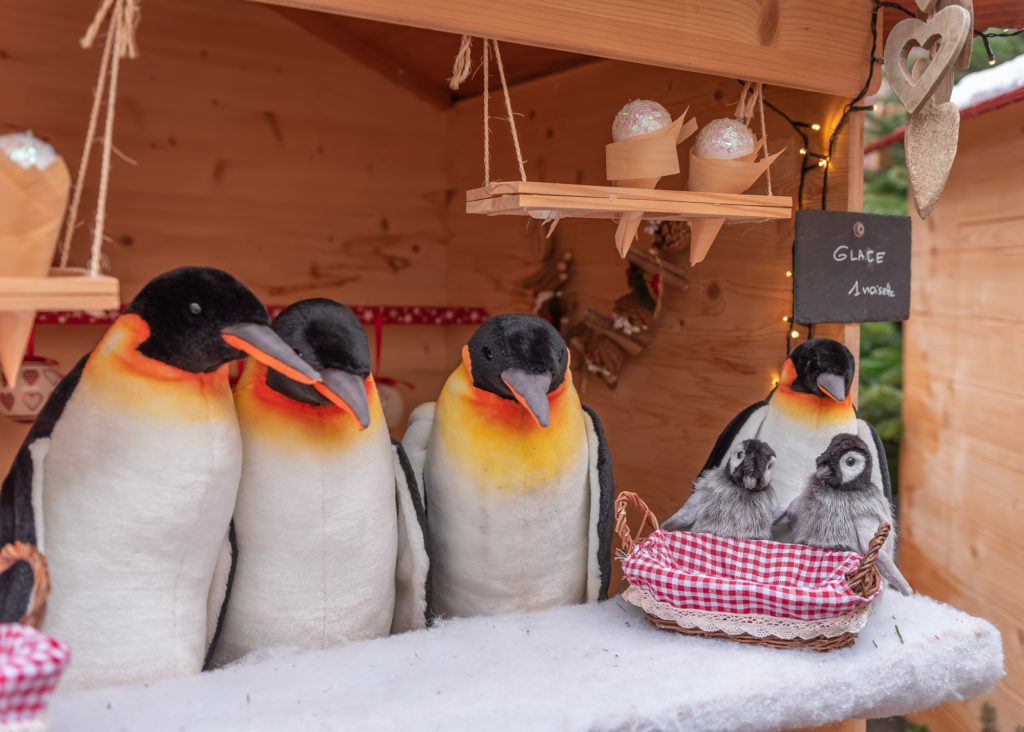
(329, 337)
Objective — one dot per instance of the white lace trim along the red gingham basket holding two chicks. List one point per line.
(755, 625)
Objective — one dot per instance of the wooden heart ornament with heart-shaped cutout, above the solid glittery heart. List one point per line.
(944, 35)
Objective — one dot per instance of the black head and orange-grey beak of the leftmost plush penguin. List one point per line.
(201, 319)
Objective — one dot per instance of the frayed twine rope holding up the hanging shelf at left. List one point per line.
(124, 17)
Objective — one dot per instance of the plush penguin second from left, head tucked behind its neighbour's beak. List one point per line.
(329, 520)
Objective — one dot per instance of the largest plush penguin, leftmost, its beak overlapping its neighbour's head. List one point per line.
(129, 478)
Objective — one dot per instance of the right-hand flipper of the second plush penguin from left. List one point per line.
(413, 582)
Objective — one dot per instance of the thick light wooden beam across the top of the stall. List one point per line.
(805, 45)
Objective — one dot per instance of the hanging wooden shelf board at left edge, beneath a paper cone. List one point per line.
(68, 289)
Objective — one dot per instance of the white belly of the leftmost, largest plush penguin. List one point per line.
(137, 498)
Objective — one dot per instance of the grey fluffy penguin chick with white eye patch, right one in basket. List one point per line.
(842, 509)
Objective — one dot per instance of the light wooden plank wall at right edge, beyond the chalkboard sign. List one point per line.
(962, 468)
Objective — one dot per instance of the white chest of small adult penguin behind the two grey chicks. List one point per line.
(798, 442)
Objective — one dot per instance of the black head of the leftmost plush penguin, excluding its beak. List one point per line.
(187, 310)
